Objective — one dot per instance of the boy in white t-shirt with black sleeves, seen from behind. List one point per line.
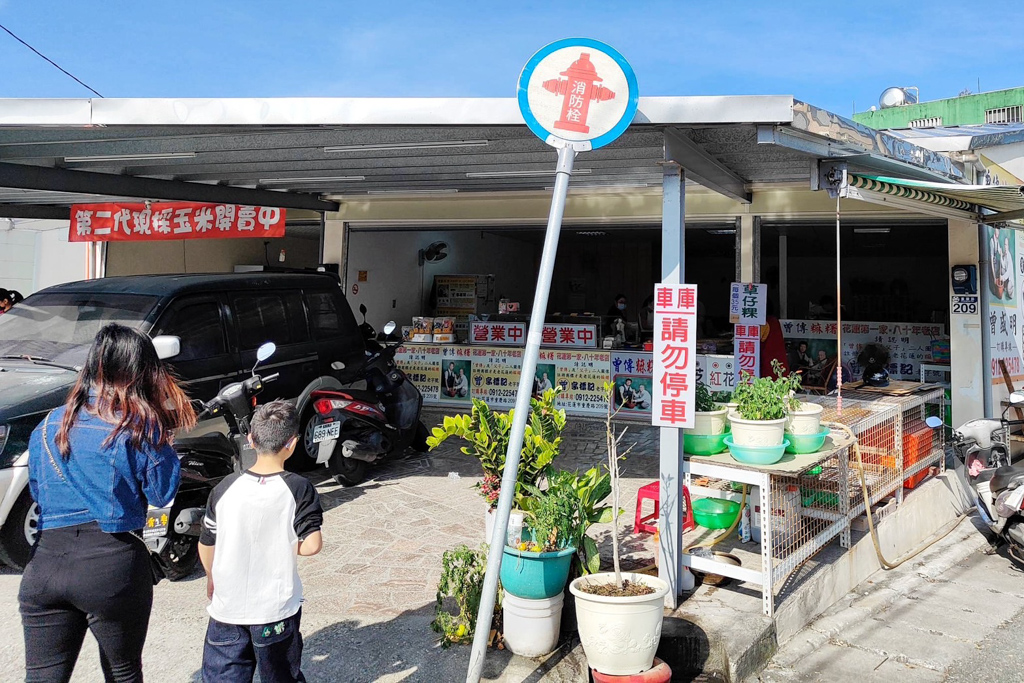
(258, 524)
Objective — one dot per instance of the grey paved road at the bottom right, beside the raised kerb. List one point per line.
(953, 614)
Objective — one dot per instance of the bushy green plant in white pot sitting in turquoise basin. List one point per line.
(761, 410)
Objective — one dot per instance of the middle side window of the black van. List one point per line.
(278, 317)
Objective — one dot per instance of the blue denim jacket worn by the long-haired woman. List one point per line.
(110, 485)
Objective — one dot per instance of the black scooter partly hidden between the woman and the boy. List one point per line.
(173, 533)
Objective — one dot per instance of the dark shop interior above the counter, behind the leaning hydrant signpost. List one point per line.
(594, 266)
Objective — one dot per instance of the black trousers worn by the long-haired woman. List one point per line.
(83, 579)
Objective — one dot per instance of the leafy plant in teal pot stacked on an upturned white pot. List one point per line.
(535, 573)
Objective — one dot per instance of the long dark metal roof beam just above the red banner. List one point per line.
(59, 180)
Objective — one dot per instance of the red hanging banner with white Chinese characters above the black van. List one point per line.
(173, 221)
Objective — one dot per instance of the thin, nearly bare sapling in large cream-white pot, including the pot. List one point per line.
(620, 615)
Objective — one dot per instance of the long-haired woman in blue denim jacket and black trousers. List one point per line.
(95, 465)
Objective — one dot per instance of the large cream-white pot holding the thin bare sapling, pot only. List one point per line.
(620, 636)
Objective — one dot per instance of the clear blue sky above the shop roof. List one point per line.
(829, 55)
